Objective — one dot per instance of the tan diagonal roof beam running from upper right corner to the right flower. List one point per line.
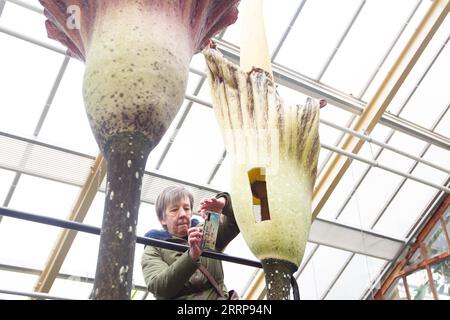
(378, 104)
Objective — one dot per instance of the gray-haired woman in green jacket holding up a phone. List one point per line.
(187, 276)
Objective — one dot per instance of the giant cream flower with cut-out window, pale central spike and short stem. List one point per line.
(274, 150)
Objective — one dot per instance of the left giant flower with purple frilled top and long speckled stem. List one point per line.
(137, 54)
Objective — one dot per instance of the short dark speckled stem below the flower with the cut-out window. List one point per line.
(278, 278)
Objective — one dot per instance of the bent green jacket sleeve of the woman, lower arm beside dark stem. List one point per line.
(163, 280)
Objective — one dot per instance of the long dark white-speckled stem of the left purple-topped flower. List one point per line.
(126, 155)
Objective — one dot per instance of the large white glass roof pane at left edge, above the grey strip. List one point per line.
(25, 83)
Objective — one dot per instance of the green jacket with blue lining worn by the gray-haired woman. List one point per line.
(174, 275)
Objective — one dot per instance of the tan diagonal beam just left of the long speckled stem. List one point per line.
(66, 237)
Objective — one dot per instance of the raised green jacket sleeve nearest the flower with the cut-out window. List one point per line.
(229, 229)
